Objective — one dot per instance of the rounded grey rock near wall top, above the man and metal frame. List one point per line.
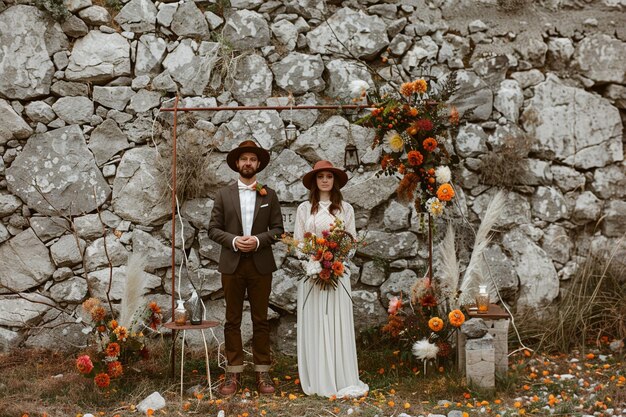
(246, 29)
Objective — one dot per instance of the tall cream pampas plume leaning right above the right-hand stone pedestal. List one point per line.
(473, 272)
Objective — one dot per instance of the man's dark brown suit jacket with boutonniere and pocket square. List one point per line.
(226, 224)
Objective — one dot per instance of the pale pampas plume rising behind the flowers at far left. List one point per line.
(134, 288)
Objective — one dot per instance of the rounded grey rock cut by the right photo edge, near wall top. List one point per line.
(601, 58)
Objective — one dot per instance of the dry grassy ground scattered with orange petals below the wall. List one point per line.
(44, 383)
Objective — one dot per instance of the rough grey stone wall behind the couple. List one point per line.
(79, 121)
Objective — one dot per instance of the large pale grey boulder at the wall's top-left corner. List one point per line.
(29, 39)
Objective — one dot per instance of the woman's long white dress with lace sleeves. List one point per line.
(327, 362)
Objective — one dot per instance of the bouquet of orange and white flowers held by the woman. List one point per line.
(326, 254)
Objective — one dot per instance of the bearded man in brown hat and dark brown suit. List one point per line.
(246, 219)
